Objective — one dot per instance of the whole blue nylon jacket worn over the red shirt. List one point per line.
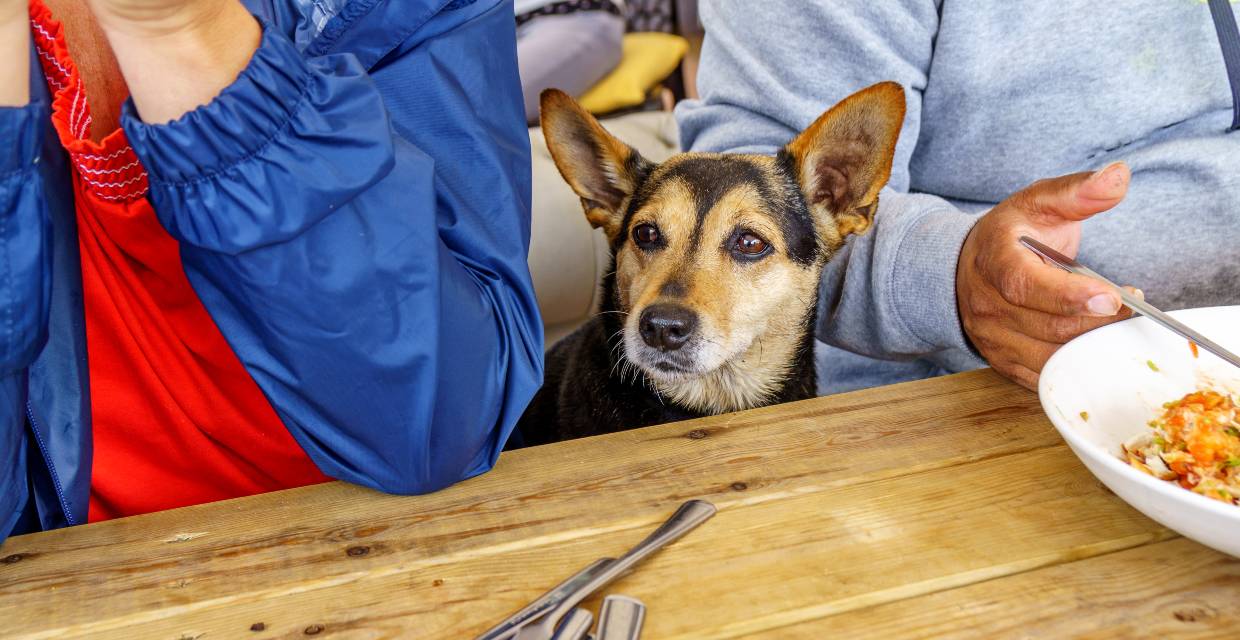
(354, 211)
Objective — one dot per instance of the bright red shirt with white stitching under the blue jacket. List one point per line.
(178, 420)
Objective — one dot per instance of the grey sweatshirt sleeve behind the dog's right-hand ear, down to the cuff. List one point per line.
(890, 293)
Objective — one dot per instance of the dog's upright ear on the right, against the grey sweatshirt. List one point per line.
(845, 158)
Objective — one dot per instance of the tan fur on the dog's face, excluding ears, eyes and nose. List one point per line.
(751, 314)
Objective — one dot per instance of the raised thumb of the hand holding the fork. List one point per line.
(1076, 198)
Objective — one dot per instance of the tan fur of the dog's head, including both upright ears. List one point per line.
(752, 316)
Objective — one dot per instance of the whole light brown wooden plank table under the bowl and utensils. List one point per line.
(947, 508)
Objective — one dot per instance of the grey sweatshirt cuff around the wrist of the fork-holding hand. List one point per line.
(924, 278)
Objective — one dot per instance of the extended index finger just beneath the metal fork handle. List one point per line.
(1025, 281)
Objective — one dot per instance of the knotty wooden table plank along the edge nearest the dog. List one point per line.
(536, 498)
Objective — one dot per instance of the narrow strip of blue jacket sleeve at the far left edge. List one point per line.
(25, 290)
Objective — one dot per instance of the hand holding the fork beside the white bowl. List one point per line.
(1019, 311)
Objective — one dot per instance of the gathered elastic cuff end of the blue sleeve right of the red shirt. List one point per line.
(287, 144)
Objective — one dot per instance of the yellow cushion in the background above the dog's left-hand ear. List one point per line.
(648, 59)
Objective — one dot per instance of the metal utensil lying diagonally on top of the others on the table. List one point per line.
(688, 518)
